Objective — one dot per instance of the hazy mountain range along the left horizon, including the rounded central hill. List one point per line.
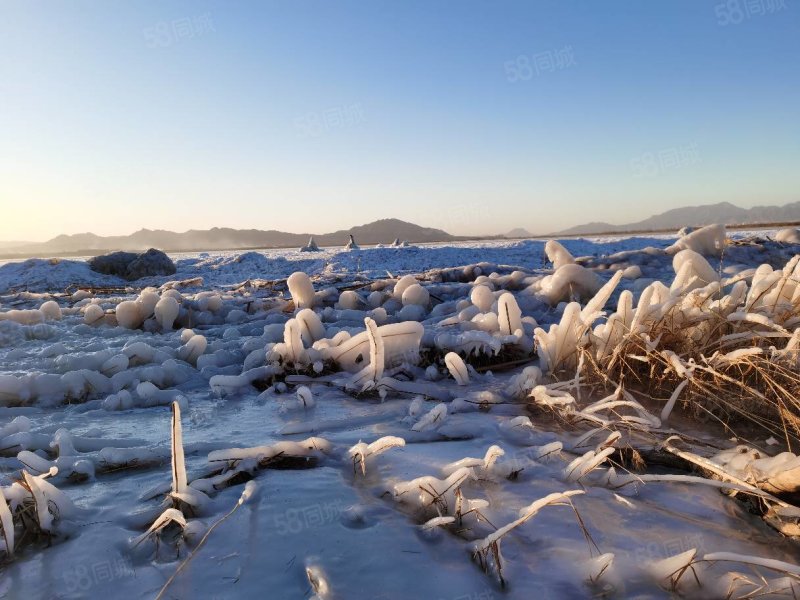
(384, 231)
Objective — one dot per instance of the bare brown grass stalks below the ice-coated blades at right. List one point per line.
(732, 374)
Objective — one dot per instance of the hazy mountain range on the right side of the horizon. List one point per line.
(693, 216)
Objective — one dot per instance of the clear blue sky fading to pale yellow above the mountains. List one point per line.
(475, 117)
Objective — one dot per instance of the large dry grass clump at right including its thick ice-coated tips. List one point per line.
(721, 350)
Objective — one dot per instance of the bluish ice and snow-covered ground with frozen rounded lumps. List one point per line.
(320, 527)
